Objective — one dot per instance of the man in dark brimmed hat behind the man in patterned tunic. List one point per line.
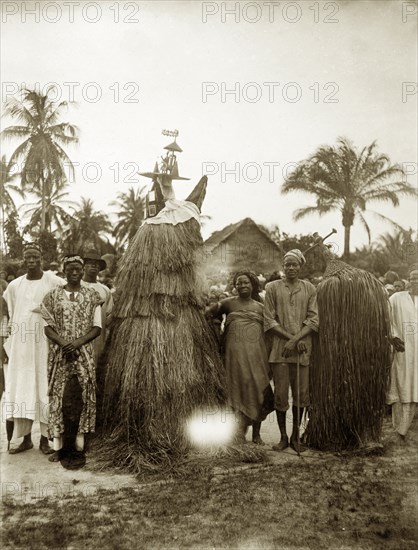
(93, 264)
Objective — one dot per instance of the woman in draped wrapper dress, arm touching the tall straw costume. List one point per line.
(245, 355)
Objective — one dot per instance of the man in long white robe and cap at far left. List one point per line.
(26, 382)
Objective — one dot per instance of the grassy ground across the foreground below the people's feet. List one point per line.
(329, 501)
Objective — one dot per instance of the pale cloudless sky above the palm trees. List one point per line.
(252, 87)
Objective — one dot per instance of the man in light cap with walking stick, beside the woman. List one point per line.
(290, 315)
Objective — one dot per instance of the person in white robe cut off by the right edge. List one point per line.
(403, 393)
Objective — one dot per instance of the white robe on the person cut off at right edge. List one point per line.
(404, 373)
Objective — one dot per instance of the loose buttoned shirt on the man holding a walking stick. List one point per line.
(290, 309)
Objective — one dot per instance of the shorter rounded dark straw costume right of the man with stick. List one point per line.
(351, 361)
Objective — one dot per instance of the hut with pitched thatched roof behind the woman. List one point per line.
(242, 245)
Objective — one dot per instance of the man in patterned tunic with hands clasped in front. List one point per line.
(73, 320)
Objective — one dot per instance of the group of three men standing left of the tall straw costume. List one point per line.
(48, 355)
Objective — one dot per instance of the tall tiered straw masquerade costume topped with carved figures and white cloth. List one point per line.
(163, 362)
